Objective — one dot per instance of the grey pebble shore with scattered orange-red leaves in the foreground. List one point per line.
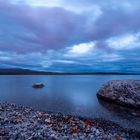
(23, 123)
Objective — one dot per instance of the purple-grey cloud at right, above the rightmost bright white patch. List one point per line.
(115, 23)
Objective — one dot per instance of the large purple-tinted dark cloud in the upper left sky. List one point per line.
(52, 27)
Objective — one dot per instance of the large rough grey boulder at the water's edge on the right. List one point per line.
(123, 92)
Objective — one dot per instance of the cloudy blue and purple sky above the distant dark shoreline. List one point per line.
(70, 36)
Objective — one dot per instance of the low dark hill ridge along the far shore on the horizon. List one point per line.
(18, 71)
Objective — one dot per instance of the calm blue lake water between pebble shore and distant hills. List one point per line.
(67, 94)
